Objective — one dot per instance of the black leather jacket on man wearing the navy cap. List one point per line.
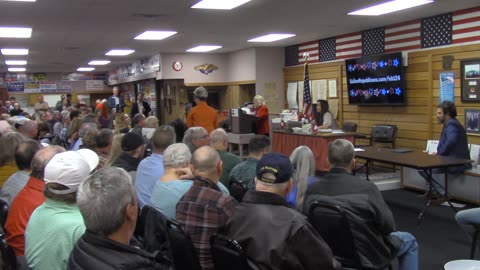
(276, 236)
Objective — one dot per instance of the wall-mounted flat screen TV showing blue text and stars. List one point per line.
(376, 80)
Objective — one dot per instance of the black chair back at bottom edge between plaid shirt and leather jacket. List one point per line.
(229, 255)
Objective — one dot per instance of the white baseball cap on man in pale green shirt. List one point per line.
(70, 169)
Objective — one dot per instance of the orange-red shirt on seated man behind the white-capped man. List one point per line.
(27, 200)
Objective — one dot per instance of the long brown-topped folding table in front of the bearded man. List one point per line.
(416, 160)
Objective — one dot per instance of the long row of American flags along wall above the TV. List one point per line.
(451, 28)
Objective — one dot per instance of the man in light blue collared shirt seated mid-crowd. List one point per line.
(151, 168)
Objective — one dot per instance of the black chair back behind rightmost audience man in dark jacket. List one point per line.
(331, 223)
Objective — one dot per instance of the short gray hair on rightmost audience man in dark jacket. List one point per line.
(340, 153)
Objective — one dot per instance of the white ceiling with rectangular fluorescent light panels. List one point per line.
(69, 33)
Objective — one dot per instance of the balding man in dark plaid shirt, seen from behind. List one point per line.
(204, 208)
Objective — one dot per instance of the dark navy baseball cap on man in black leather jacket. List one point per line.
(276, 164)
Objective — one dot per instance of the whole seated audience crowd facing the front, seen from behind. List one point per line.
(75, 198)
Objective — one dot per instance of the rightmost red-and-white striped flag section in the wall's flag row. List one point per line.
(466, 25)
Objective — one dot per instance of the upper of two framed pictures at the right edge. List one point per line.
(470, 78)
